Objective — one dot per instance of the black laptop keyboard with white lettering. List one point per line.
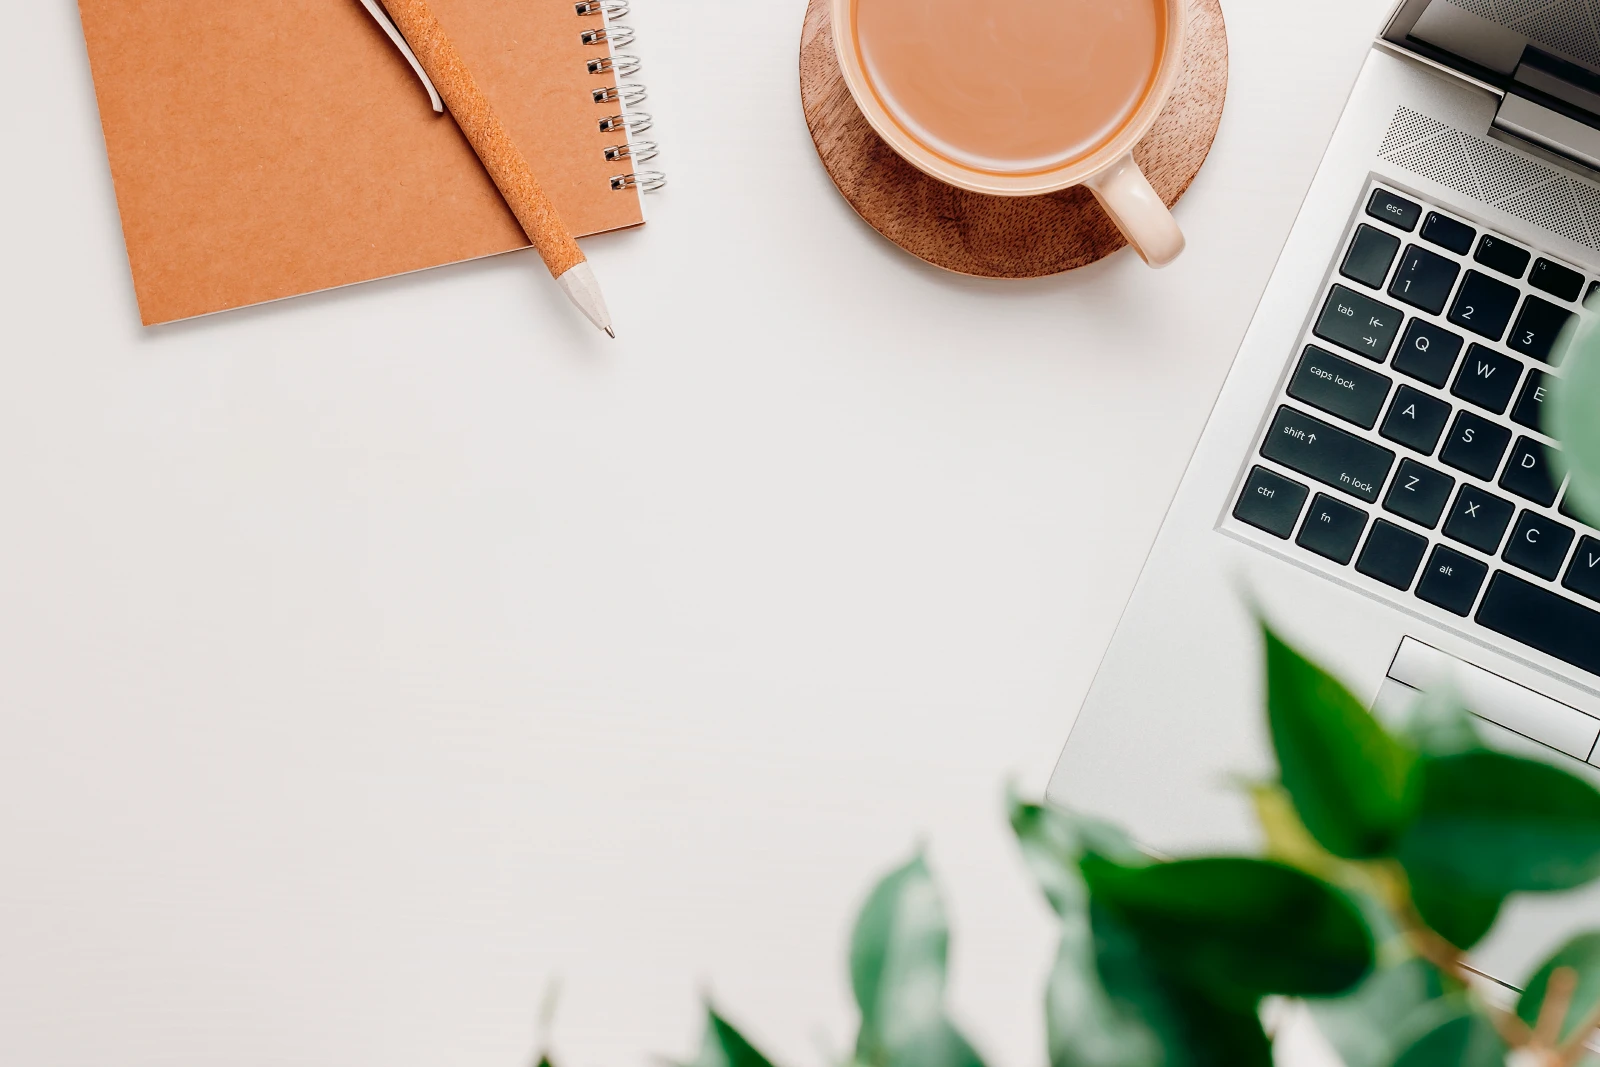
(1407, 444)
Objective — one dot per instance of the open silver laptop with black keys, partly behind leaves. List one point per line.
(1374, 474)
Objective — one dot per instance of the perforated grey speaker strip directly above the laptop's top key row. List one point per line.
(1518, 185)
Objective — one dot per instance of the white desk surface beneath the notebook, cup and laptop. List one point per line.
(372, 658)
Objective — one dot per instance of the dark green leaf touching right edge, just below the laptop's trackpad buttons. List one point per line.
(1490, 825)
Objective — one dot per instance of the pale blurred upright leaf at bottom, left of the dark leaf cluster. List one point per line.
(898, 970)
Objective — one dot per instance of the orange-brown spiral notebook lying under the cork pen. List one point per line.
(268, 150)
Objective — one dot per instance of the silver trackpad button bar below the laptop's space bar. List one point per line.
(1514, 708)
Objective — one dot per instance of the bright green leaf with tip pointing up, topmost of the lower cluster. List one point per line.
(1351, 781)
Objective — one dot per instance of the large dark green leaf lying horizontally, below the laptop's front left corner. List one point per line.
(1239, 929)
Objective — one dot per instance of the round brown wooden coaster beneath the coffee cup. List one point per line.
(1004, 238)
